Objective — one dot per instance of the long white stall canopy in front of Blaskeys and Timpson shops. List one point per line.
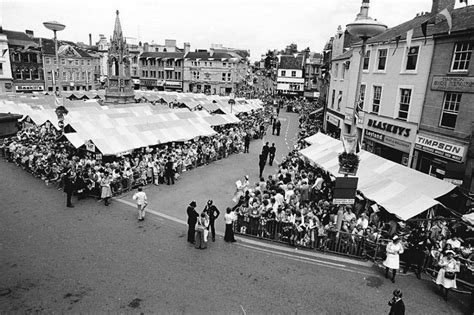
(402, 191)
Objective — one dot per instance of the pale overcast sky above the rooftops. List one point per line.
(256, 25)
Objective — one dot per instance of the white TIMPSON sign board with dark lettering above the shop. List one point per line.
(439, 147)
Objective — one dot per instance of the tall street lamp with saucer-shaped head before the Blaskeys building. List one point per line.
(363, 27)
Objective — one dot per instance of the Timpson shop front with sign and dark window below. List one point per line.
(440, 158)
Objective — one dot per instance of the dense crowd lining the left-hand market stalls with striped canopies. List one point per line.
(44, 153)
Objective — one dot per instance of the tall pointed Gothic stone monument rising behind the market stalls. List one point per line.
(119, 87)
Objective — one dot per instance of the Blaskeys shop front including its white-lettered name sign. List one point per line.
(389, 138)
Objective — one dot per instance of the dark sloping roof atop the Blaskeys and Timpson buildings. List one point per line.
(463, 20)
